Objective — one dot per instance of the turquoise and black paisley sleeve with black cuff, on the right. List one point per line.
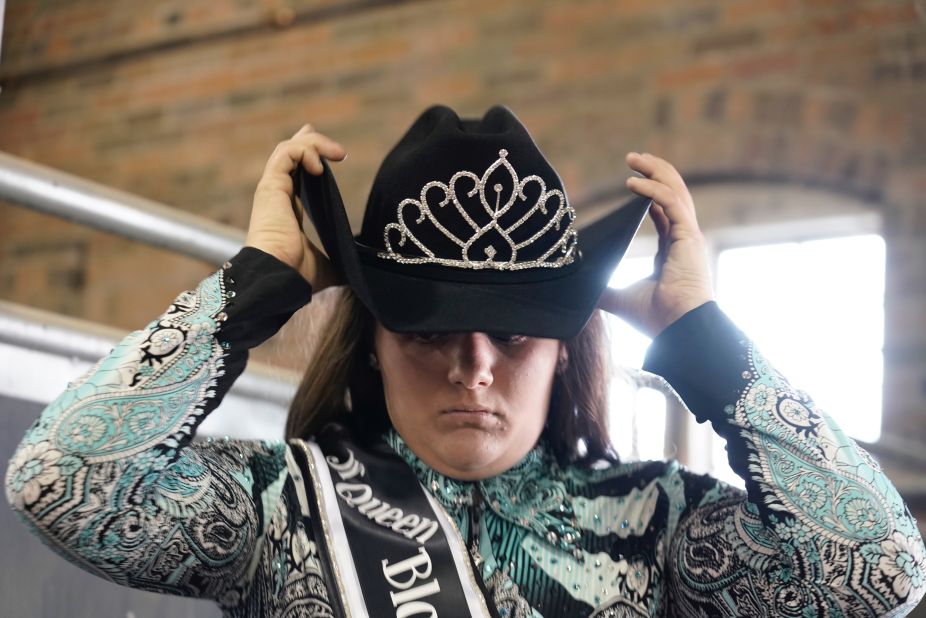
(821, 531)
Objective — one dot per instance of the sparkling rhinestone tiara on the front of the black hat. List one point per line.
(561, 250)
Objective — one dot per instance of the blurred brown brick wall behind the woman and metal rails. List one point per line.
(182, 102)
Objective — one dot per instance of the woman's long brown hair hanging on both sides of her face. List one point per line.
(340, 384)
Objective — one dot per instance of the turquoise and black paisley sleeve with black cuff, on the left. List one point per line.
(108, 476)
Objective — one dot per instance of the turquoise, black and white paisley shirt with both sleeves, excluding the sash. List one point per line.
(110, 478)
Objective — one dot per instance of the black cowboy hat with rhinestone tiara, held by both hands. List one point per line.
(467, 228)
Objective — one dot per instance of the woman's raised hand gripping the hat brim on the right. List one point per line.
(681, 279)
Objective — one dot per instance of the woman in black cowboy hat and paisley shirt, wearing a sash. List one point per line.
(457, 464)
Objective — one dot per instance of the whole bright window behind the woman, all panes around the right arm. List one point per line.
(815, 310)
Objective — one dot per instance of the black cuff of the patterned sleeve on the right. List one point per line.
(702, 356)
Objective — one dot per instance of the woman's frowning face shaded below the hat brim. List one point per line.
(470, 405)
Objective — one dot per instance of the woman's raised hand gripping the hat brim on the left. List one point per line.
(274, 227)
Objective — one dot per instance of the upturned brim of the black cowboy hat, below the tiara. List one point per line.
(551, 303)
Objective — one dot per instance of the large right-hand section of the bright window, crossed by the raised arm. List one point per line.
(815, 309)
